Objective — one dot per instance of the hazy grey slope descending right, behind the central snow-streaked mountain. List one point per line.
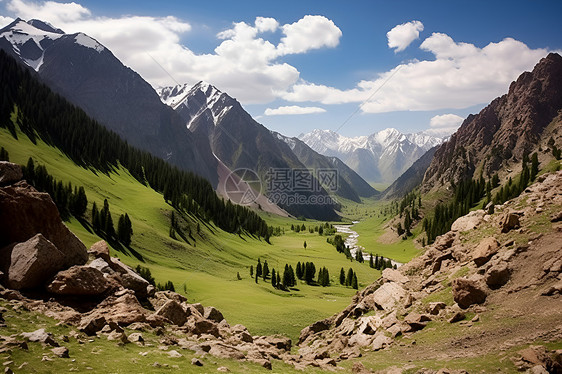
(351, 185)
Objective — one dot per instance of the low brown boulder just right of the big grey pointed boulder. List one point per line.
(79, 280)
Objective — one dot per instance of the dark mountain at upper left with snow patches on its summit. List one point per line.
(91, 77)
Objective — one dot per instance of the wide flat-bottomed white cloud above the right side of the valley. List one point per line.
(460, 76)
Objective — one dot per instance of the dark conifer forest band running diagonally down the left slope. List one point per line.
(40, 112)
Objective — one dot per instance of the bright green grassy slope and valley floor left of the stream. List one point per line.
(207, 270)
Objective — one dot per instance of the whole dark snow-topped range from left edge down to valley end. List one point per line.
(196, 128)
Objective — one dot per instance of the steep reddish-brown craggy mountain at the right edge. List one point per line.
(507, 129)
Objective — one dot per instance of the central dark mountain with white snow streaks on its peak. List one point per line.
(240, 142)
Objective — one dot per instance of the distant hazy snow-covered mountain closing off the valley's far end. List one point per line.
(380, 157)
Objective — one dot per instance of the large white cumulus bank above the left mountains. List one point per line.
(244, 63)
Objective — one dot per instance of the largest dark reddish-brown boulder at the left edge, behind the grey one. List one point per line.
(25, 212)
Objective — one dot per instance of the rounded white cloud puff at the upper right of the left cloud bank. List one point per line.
(310, 32)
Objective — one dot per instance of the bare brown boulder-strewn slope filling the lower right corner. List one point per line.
(485, 268)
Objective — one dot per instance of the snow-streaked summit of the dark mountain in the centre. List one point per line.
(194, 102)
